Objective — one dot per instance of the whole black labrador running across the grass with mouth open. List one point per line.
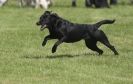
(66, 31)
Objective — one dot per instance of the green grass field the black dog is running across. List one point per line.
(24, 61)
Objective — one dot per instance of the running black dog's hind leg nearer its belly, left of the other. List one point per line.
(91, 44)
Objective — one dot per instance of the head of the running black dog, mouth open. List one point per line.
(47, 20)
